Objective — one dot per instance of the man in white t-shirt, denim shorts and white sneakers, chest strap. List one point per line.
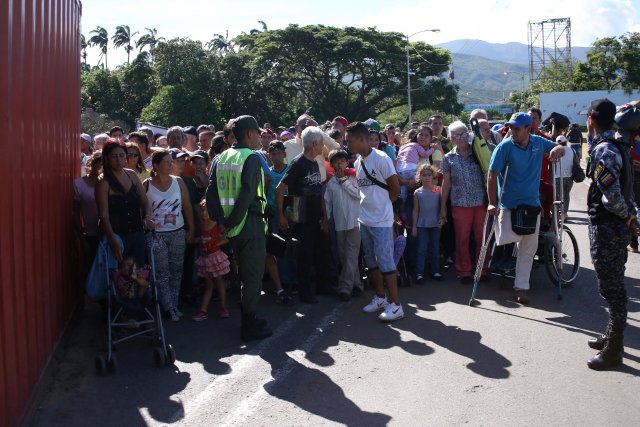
(379, 187)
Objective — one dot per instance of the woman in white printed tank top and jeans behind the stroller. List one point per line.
(170, 208)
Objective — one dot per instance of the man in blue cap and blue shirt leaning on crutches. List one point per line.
(519, 206)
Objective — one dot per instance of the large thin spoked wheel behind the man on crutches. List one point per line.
(566, 267)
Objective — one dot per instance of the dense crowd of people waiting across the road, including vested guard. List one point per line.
(313, 205)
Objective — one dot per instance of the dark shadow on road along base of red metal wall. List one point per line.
(137, 391)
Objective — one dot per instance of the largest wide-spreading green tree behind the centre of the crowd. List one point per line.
(356, 72)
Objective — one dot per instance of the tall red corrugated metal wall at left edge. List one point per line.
(39, 122)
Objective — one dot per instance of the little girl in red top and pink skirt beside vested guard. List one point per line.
(212, 265)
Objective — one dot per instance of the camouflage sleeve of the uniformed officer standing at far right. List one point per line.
(606, 176)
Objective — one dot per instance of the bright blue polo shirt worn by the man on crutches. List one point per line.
(525, 164)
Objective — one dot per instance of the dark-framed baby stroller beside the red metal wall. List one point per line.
(128, 318)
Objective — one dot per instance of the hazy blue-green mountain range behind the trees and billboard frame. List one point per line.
(480, 67)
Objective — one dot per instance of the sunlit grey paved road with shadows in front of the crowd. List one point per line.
(445, 363)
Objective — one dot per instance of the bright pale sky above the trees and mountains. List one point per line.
(496, 21)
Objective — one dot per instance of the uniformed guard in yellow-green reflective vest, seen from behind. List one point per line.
(236, 200)
